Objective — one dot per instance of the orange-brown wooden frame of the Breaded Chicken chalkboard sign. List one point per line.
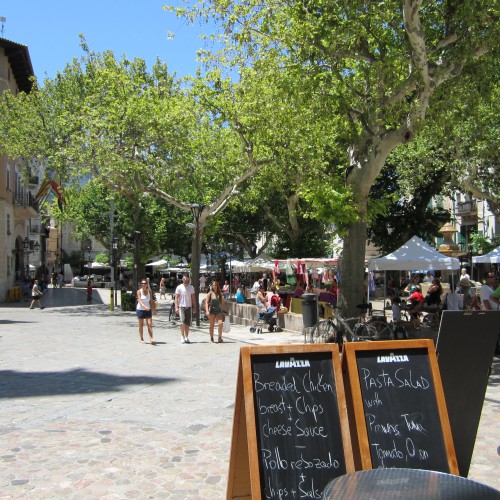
(244, 479)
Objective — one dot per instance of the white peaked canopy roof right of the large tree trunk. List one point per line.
(415, 254)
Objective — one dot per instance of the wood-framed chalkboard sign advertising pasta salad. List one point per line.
(395, 397)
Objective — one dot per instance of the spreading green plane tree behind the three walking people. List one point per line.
(136, 131)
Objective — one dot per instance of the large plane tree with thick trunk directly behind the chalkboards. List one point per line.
(377, 64)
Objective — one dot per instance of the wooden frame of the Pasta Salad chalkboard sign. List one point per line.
(356, 410)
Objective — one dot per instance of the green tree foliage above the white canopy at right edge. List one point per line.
(456, 151)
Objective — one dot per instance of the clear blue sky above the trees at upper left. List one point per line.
(50, 29)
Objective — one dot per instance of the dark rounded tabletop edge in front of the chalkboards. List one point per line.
(406, 484)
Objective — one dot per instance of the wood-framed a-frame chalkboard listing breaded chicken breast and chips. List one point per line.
(290, 430)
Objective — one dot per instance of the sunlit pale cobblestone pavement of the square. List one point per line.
(87, 411)
